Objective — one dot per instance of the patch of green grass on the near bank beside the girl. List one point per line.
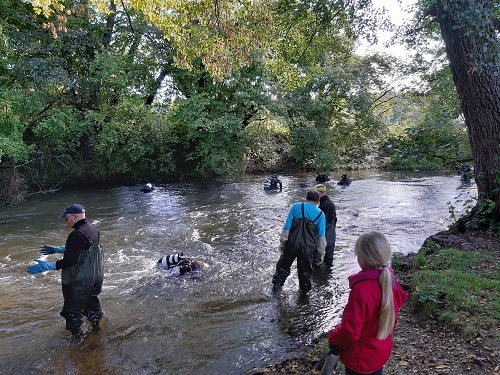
(457, 288)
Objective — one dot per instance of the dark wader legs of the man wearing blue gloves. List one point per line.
(81, 301)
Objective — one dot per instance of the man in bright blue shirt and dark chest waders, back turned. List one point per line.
(303, 232)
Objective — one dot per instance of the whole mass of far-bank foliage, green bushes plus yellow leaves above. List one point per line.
(131, 90)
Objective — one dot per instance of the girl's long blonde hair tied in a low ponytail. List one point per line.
(373, 250)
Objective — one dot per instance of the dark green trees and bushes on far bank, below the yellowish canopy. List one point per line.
(78, 107)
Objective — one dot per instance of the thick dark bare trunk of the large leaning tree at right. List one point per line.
(479, 93)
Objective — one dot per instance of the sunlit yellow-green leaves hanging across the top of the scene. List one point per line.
(229, 34)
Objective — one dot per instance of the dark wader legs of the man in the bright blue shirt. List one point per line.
(304, 269)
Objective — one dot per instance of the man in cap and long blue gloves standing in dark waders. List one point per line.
(82, 270)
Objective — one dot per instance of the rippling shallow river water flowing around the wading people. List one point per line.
(225, 321)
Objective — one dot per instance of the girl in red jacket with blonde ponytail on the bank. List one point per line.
(364, 337)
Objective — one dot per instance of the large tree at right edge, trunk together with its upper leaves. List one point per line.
(470, 30)
